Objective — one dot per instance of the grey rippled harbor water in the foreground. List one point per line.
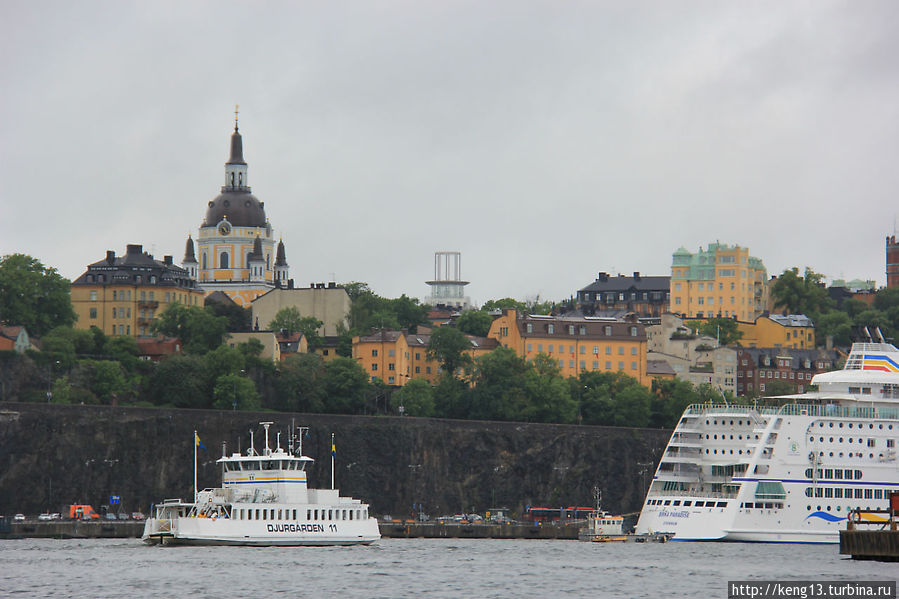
(436, 568)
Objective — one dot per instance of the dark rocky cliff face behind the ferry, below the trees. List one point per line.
(54, 455)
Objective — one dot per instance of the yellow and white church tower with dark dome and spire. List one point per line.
(235, 245)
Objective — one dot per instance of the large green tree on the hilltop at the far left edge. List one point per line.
(33, 295)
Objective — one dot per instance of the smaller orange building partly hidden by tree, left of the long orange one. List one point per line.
(396, 357)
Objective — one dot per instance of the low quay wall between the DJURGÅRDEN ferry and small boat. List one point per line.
(409, 529)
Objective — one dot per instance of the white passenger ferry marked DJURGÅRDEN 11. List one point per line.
(263, 501)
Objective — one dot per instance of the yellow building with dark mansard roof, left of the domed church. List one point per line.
(124, 295)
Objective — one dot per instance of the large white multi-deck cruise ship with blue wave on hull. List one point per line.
(789, 474)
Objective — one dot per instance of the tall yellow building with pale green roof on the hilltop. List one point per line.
(720, 281)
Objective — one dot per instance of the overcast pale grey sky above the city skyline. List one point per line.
(546, 141)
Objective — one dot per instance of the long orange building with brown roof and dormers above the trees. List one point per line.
(577, 343)
